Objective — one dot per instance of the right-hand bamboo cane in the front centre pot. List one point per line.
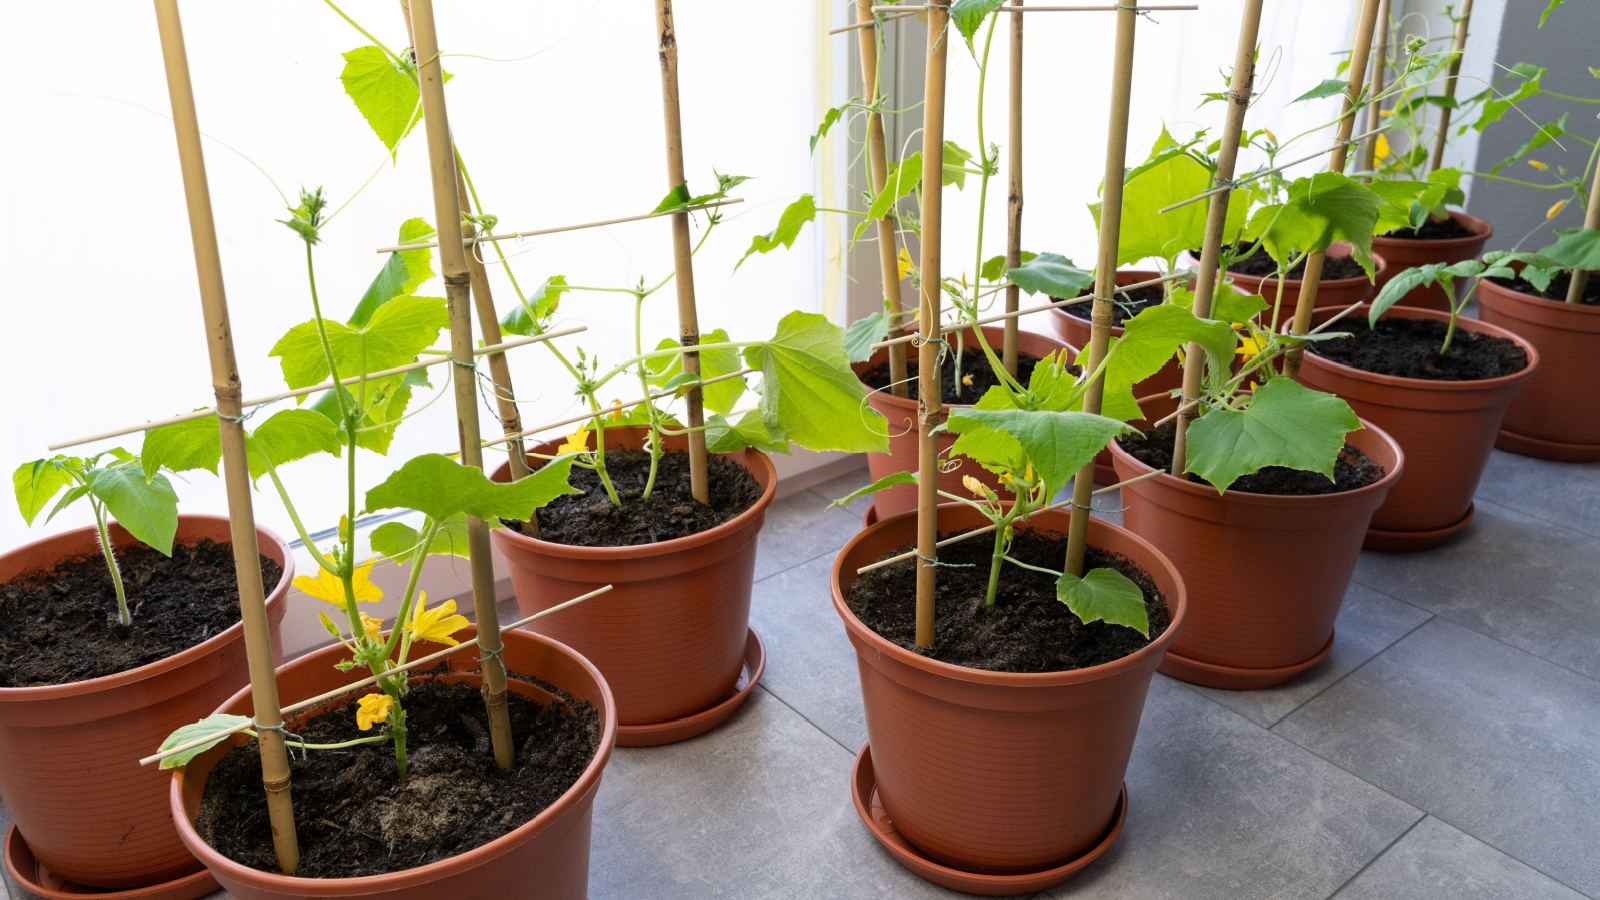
(1105, 270)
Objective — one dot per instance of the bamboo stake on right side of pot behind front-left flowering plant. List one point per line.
(682, 249)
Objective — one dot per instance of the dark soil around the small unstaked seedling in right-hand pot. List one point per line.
(1409, 348)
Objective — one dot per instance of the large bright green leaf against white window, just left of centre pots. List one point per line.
(809, 392)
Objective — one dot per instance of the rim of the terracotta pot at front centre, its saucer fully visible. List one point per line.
(1178, 608)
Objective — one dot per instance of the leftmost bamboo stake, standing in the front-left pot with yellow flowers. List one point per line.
(236, 468)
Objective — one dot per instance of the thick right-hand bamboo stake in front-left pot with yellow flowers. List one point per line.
(454, 262)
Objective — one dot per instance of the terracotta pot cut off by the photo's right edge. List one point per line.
(1553, 419)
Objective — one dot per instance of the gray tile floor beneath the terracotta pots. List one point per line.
(1447, 749)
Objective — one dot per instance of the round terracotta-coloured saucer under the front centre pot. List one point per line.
(863, 787)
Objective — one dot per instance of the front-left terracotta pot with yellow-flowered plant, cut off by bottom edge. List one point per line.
(548, 854)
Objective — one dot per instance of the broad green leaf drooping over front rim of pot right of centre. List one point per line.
(1286, 425)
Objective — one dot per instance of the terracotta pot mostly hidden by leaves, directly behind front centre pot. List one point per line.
(902, 414)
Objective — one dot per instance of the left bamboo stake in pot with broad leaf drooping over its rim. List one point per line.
(1217, 219)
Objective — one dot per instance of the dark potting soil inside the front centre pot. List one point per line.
(1026, 632)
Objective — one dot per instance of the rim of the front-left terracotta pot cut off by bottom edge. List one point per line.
(431, 872)
